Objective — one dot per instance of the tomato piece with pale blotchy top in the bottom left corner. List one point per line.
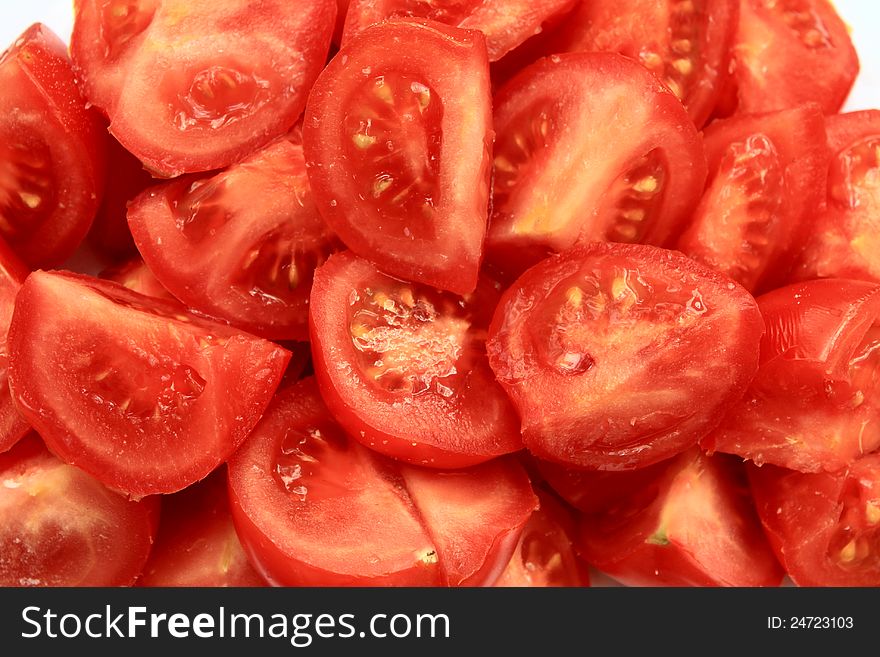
(61, 527)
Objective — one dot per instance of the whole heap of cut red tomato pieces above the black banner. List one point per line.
(438, 294)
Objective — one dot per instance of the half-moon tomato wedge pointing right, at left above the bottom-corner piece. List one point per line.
(134, 391)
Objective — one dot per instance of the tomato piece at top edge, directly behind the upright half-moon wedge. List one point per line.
(506, 23)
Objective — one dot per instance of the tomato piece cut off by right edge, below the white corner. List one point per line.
(846, 238)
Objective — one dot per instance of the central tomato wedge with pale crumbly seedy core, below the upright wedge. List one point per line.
(403, 367)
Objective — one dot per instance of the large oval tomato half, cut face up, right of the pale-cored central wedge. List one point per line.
(621, 355)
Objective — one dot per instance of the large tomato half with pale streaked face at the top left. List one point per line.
(193, 85)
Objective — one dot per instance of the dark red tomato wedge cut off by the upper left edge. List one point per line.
(52, 159)
